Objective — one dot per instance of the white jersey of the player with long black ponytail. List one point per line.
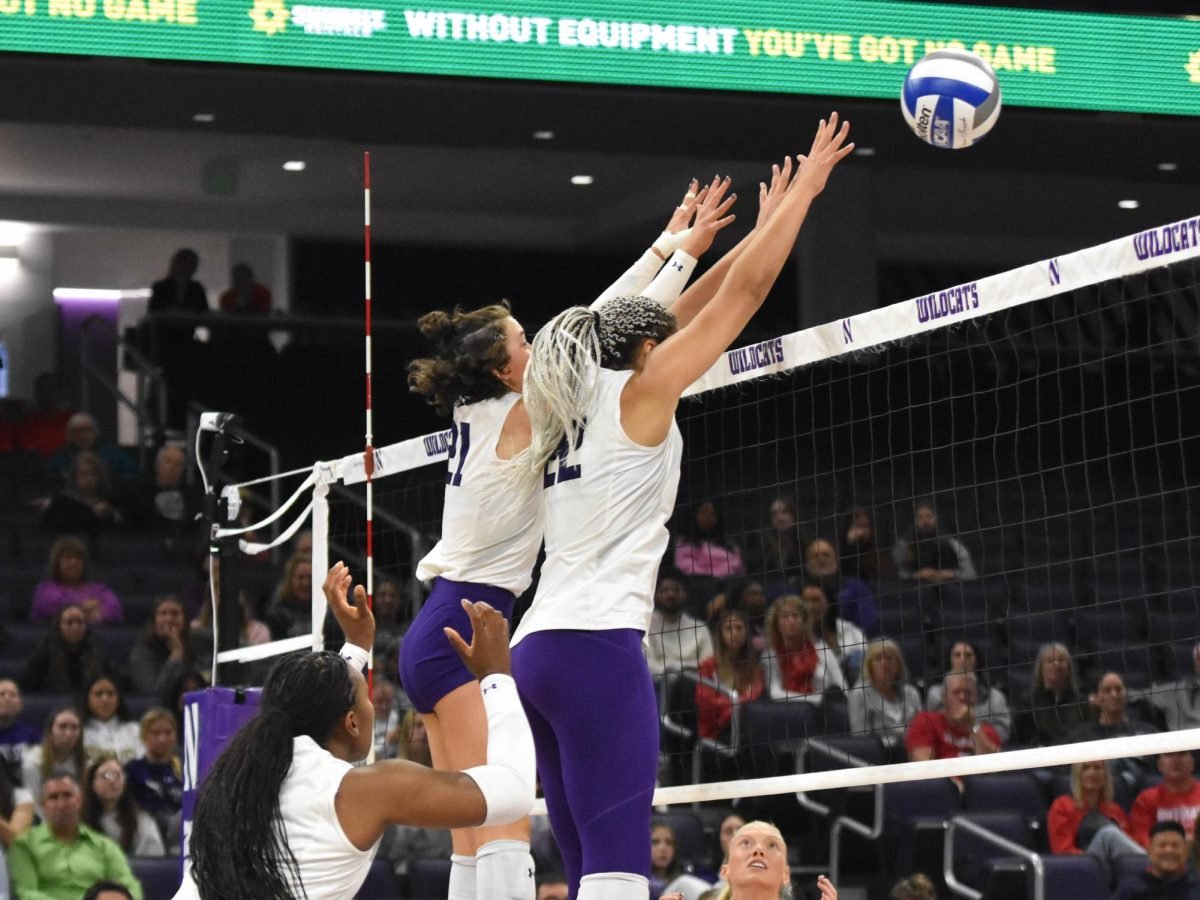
(332, 868)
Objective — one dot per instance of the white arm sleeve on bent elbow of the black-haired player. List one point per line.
(508, 781)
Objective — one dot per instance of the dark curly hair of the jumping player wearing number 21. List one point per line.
(469, 346)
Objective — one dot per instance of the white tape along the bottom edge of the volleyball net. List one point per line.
(859, 777)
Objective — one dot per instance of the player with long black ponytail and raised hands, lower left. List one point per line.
(316, 718)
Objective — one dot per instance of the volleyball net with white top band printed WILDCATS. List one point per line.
(1046, 418)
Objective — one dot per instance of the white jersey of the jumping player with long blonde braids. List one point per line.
(605, 524)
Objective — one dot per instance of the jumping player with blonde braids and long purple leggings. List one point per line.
(585, 685)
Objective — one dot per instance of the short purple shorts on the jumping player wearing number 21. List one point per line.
(429, 664)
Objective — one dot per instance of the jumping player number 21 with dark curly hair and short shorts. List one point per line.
(489, 545)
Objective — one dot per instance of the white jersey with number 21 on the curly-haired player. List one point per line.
(482, 542)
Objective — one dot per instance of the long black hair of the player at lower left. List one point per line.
(239, 842)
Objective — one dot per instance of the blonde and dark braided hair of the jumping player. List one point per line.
(561, 380)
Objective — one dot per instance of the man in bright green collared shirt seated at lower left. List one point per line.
(62, 859)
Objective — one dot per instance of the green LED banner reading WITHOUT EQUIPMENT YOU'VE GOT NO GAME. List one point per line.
(857, 49)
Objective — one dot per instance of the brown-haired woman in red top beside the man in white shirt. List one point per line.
(735, 668)
